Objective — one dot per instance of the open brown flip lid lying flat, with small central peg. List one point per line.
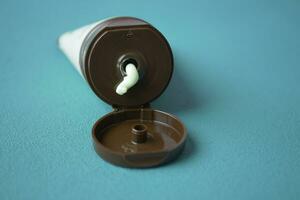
(138, 137)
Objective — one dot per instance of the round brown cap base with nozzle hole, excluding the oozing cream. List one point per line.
(119, 41)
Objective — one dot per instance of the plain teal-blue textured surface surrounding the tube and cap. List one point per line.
(236, 87)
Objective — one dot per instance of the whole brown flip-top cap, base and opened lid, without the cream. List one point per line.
(134, 135)
